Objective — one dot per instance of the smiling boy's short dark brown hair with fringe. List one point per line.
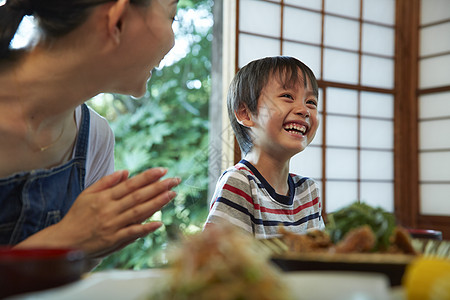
(250, 80)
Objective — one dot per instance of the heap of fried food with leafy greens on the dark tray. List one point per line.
(356, 228)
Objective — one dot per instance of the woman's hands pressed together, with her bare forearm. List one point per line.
(108, 215)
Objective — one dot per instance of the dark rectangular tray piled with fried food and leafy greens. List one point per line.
(358, 238)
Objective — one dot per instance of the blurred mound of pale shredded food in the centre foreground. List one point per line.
(221, 263)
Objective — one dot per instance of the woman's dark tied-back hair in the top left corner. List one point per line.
(56, 18)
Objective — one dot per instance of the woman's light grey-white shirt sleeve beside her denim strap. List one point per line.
(100, 154)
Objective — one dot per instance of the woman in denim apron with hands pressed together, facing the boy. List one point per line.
(53, 149)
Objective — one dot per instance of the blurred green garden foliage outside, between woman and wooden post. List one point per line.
(168, 128)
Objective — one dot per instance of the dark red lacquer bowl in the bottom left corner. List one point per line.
(27, 270)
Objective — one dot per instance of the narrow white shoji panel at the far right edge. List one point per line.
(434, 108)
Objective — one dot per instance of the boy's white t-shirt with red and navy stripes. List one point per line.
(244, 198)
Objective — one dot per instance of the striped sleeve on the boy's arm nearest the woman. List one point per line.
(232, 202)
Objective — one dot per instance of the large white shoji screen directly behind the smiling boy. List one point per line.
(349, 44)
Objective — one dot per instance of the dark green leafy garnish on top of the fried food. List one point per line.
(359, 214)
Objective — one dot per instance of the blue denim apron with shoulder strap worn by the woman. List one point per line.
(31, 201)
